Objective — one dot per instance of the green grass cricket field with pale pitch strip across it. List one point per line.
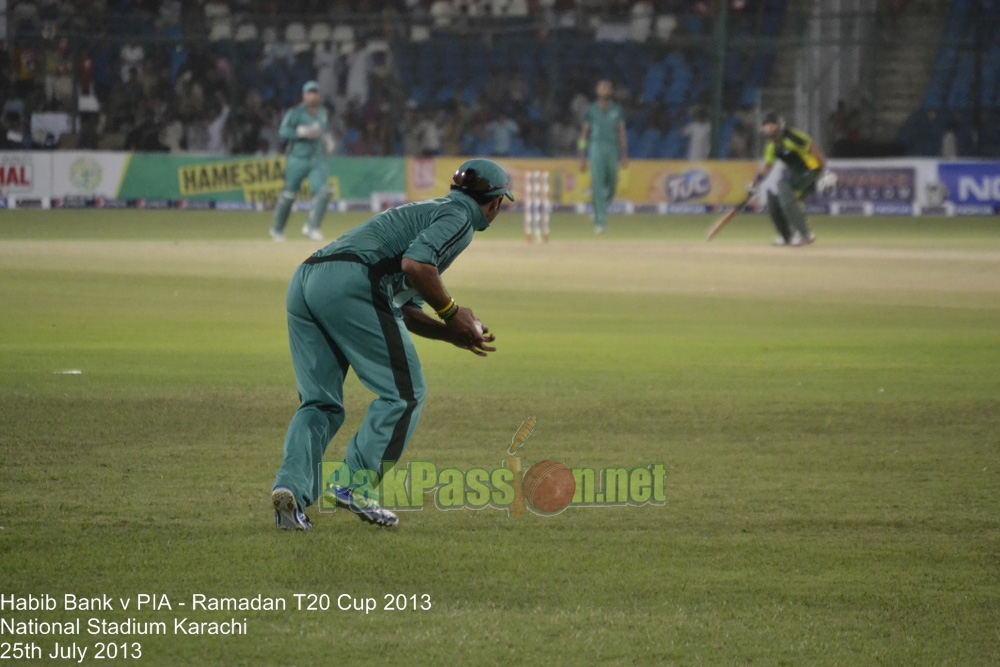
(829, 418)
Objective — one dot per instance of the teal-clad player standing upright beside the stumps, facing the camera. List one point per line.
(604, 141)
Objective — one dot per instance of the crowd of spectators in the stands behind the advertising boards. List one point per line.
(215, 76)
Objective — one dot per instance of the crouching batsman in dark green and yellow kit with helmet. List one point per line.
(805, 163)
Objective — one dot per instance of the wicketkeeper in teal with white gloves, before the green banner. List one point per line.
(305, 129)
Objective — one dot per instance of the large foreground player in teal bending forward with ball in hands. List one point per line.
(353, 304)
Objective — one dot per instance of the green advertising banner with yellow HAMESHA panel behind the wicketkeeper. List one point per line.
(253, 180)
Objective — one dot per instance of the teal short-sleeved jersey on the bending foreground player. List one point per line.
(433, 232)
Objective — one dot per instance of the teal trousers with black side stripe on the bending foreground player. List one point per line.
(338, 318)
